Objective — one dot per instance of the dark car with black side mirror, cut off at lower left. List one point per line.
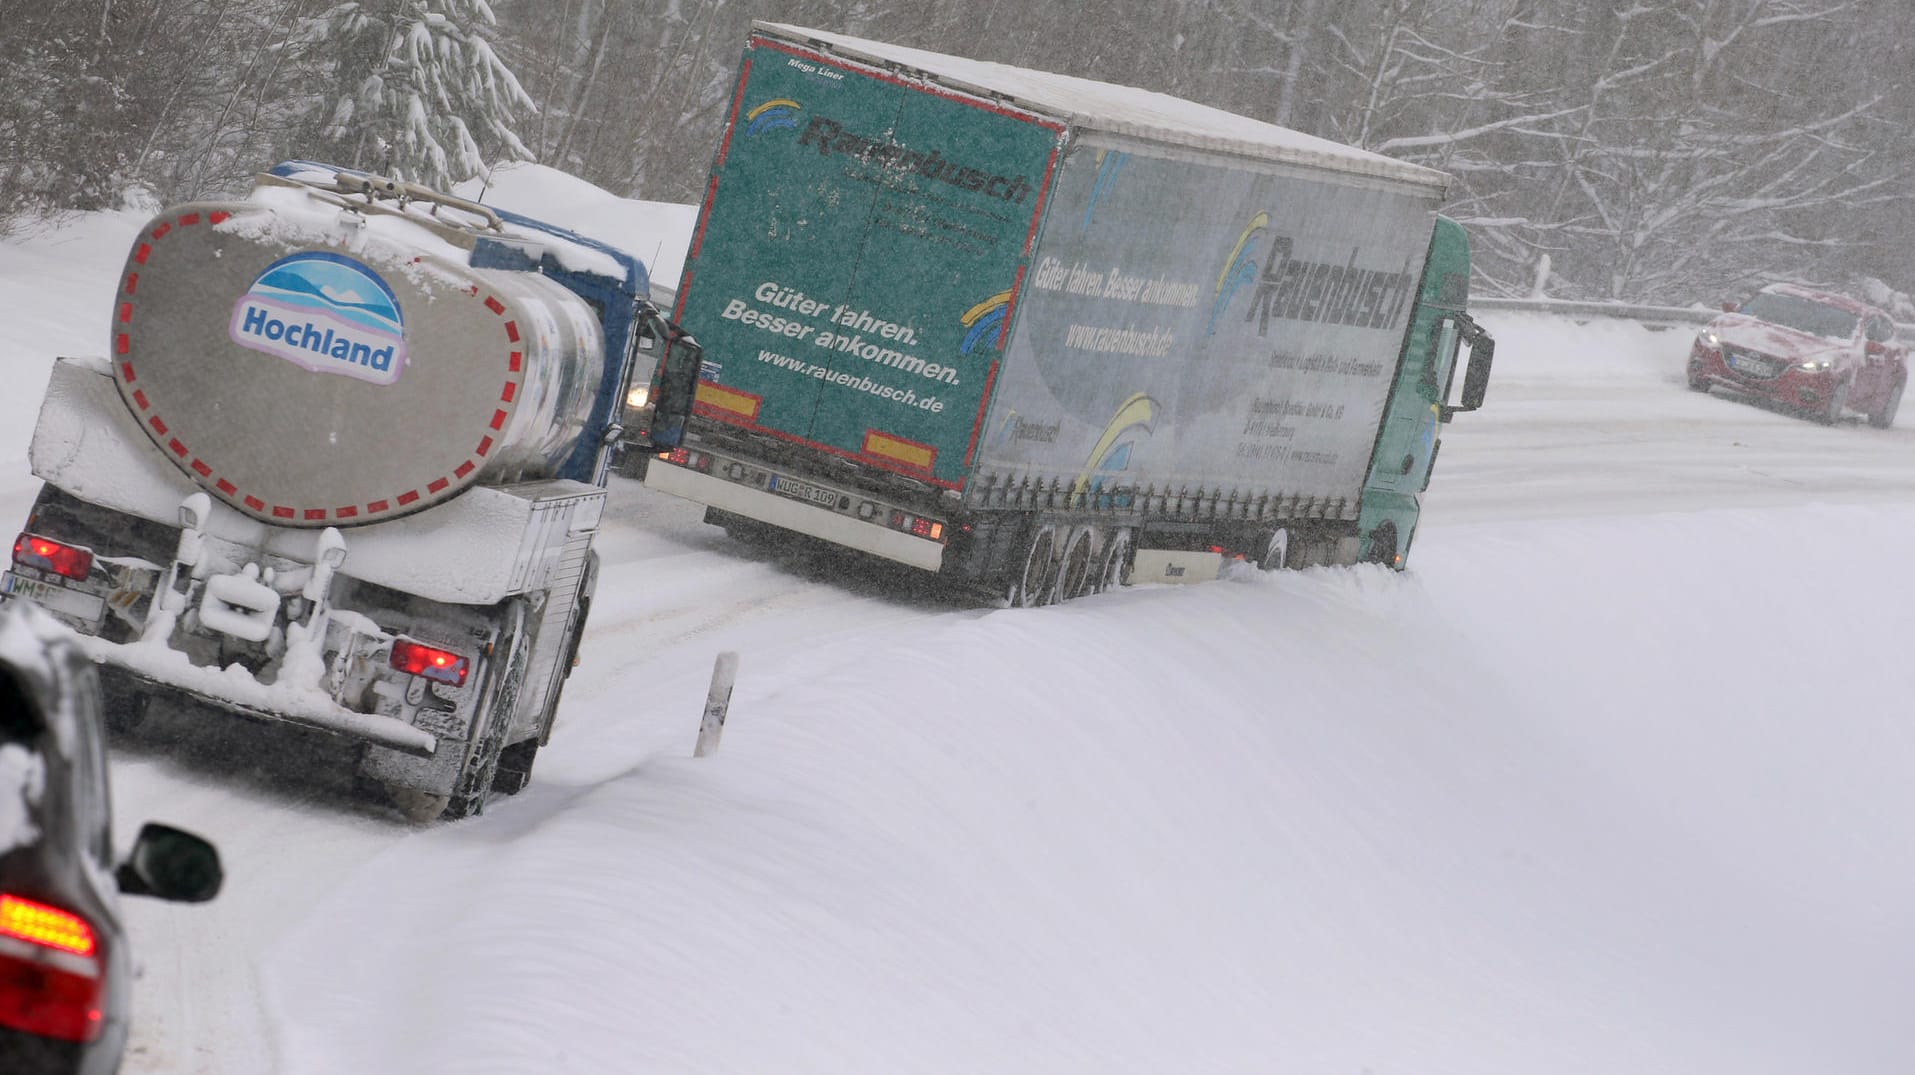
(64, 959)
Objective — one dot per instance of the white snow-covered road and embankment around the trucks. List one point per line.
(1613, 783)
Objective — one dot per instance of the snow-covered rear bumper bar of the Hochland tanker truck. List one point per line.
(233, 689)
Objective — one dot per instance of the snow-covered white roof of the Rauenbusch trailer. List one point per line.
(1117, 110)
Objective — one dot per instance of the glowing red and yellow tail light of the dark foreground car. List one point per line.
(51, 978)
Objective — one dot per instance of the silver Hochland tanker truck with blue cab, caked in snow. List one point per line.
(342, 469)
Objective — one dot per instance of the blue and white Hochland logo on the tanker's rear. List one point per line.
(325, 313)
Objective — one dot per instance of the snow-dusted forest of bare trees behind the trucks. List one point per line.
(1665, 152)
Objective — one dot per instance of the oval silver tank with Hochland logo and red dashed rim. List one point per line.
(323, 355)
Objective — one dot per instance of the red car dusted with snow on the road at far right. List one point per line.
(1813, 352)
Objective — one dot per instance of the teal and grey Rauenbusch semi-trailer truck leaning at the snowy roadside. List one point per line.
(1047, 336)
